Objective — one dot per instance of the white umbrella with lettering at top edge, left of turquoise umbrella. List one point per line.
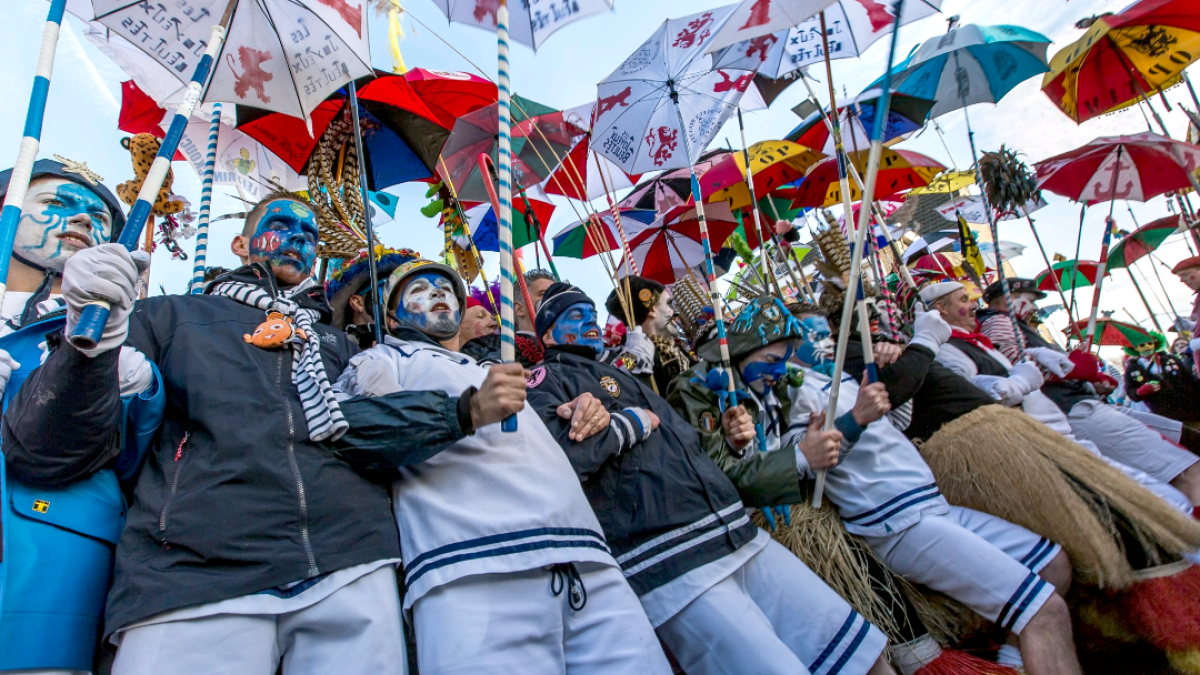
(853, 27)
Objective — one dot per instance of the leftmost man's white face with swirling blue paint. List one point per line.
(58, 219)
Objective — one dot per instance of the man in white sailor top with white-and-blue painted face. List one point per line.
(499, 540)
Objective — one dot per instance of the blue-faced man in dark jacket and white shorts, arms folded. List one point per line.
(723, 595)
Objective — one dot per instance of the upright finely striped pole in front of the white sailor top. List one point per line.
(505, 177)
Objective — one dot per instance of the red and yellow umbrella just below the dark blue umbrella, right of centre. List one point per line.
(899, 171)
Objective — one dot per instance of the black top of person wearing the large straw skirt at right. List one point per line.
(939, 396)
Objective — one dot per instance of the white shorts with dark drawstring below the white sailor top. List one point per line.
(506, 624)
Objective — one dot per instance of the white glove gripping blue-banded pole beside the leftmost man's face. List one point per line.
(109, 273)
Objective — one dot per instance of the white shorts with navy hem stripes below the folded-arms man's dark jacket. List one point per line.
(772, 617)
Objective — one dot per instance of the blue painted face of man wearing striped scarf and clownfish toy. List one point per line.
(286, 237)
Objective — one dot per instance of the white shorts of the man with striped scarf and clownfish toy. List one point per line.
(357, 630)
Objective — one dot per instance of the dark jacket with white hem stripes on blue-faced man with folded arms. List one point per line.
(663, 487)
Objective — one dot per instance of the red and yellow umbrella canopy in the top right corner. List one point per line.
(1137, 52)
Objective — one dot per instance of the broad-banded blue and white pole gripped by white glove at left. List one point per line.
(95, 316)
